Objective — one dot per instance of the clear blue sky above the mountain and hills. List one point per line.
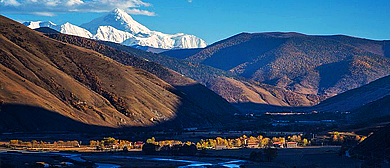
(213, 20)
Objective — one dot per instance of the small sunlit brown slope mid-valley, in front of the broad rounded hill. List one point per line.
(243, 91)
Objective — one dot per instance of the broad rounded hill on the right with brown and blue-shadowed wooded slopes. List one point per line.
(321, 65)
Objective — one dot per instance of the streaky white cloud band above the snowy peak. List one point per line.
(51, 7)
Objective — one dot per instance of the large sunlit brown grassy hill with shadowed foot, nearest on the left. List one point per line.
(45, 84)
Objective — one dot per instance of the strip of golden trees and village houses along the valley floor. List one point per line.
(218, 143)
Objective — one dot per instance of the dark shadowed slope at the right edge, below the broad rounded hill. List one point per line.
(355, 98)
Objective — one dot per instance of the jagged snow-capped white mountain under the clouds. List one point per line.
(118, 26)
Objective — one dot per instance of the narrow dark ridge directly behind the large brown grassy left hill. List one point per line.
(185, 87)
